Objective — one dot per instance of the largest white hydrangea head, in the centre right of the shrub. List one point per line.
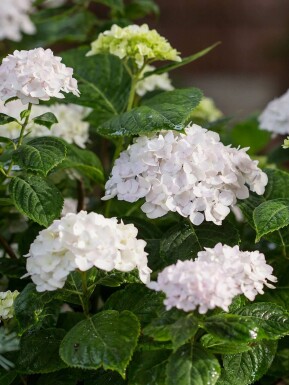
(191, 173)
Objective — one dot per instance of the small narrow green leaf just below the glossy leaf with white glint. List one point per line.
(218, 346)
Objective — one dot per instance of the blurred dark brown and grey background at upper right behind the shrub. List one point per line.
(251, 65)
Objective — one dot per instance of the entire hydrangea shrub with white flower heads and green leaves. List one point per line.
(143, 239)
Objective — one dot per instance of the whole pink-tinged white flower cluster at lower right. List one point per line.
(214, 279)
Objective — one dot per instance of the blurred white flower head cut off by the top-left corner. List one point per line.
(14, 19)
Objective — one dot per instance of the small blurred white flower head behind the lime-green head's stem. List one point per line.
(153, 82)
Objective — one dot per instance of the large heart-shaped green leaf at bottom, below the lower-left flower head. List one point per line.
(107, 339)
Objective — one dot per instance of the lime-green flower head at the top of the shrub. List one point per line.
(136, 42)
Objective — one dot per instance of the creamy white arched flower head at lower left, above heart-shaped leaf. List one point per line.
(81, 241)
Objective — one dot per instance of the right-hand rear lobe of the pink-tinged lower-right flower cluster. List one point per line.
(248, 268)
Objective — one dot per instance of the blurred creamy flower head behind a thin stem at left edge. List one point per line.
(71, 125)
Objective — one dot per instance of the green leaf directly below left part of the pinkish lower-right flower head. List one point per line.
(173, 326)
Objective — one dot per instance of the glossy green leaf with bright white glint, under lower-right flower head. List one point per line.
(233, 328)
